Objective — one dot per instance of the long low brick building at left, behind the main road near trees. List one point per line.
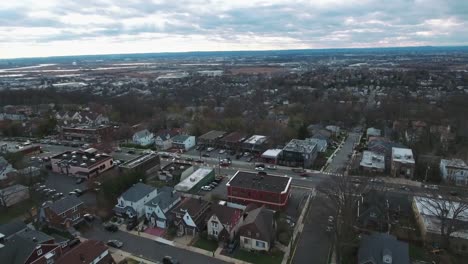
(86, 133)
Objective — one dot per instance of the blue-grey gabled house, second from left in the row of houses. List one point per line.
(156, 210)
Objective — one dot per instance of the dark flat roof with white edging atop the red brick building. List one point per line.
(264, 182)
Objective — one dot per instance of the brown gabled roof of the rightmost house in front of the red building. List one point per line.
(261, 220)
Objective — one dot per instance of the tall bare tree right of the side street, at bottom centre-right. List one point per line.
(344, 194)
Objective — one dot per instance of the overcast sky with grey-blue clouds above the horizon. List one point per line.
(30, 28)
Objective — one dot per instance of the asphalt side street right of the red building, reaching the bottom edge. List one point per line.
(314, 242)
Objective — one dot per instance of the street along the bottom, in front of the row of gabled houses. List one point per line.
(147, 248)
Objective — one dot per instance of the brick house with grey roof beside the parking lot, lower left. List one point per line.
(64, 213)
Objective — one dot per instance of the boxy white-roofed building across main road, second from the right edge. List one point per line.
(403, 164)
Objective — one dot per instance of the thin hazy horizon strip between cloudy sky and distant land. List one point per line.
(230, 51)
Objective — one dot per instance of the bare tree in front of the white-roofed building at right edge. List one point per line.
(449, 212)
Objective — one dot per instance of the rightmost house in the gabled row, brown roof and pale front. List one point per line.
(257, 231)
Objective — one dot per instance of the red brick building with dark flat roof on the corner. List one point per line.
(262, 189)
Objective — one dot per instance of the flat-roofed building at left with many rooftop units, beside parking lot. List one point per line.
(83, 164)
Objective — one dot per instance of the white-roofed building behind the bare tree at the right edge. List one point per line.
(427, 212)
